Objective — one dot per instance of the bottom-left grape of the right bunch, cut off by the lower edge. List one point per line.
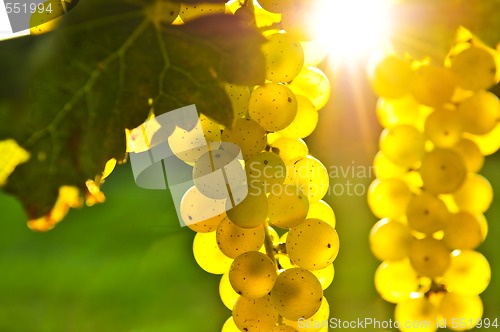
(416, 315)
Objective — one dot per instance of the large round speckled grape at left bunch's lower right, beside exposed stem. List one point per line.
(312, 245)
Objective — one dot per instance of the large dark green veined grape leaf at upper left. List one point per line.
(70, 95)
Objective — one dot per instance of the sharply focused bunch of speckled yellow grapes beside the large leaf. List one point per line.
(274, 247)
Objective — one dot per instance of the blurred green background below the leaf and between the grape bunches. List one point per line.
(126, 265)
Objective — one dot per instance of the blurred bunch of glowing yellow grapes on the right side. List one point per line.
(439, 123)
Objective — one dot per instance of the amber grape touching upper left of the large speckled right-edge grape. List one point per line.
(288, 206)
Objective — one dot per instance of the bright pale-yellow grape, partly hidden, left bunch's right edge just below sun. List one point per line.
(313, 84)
